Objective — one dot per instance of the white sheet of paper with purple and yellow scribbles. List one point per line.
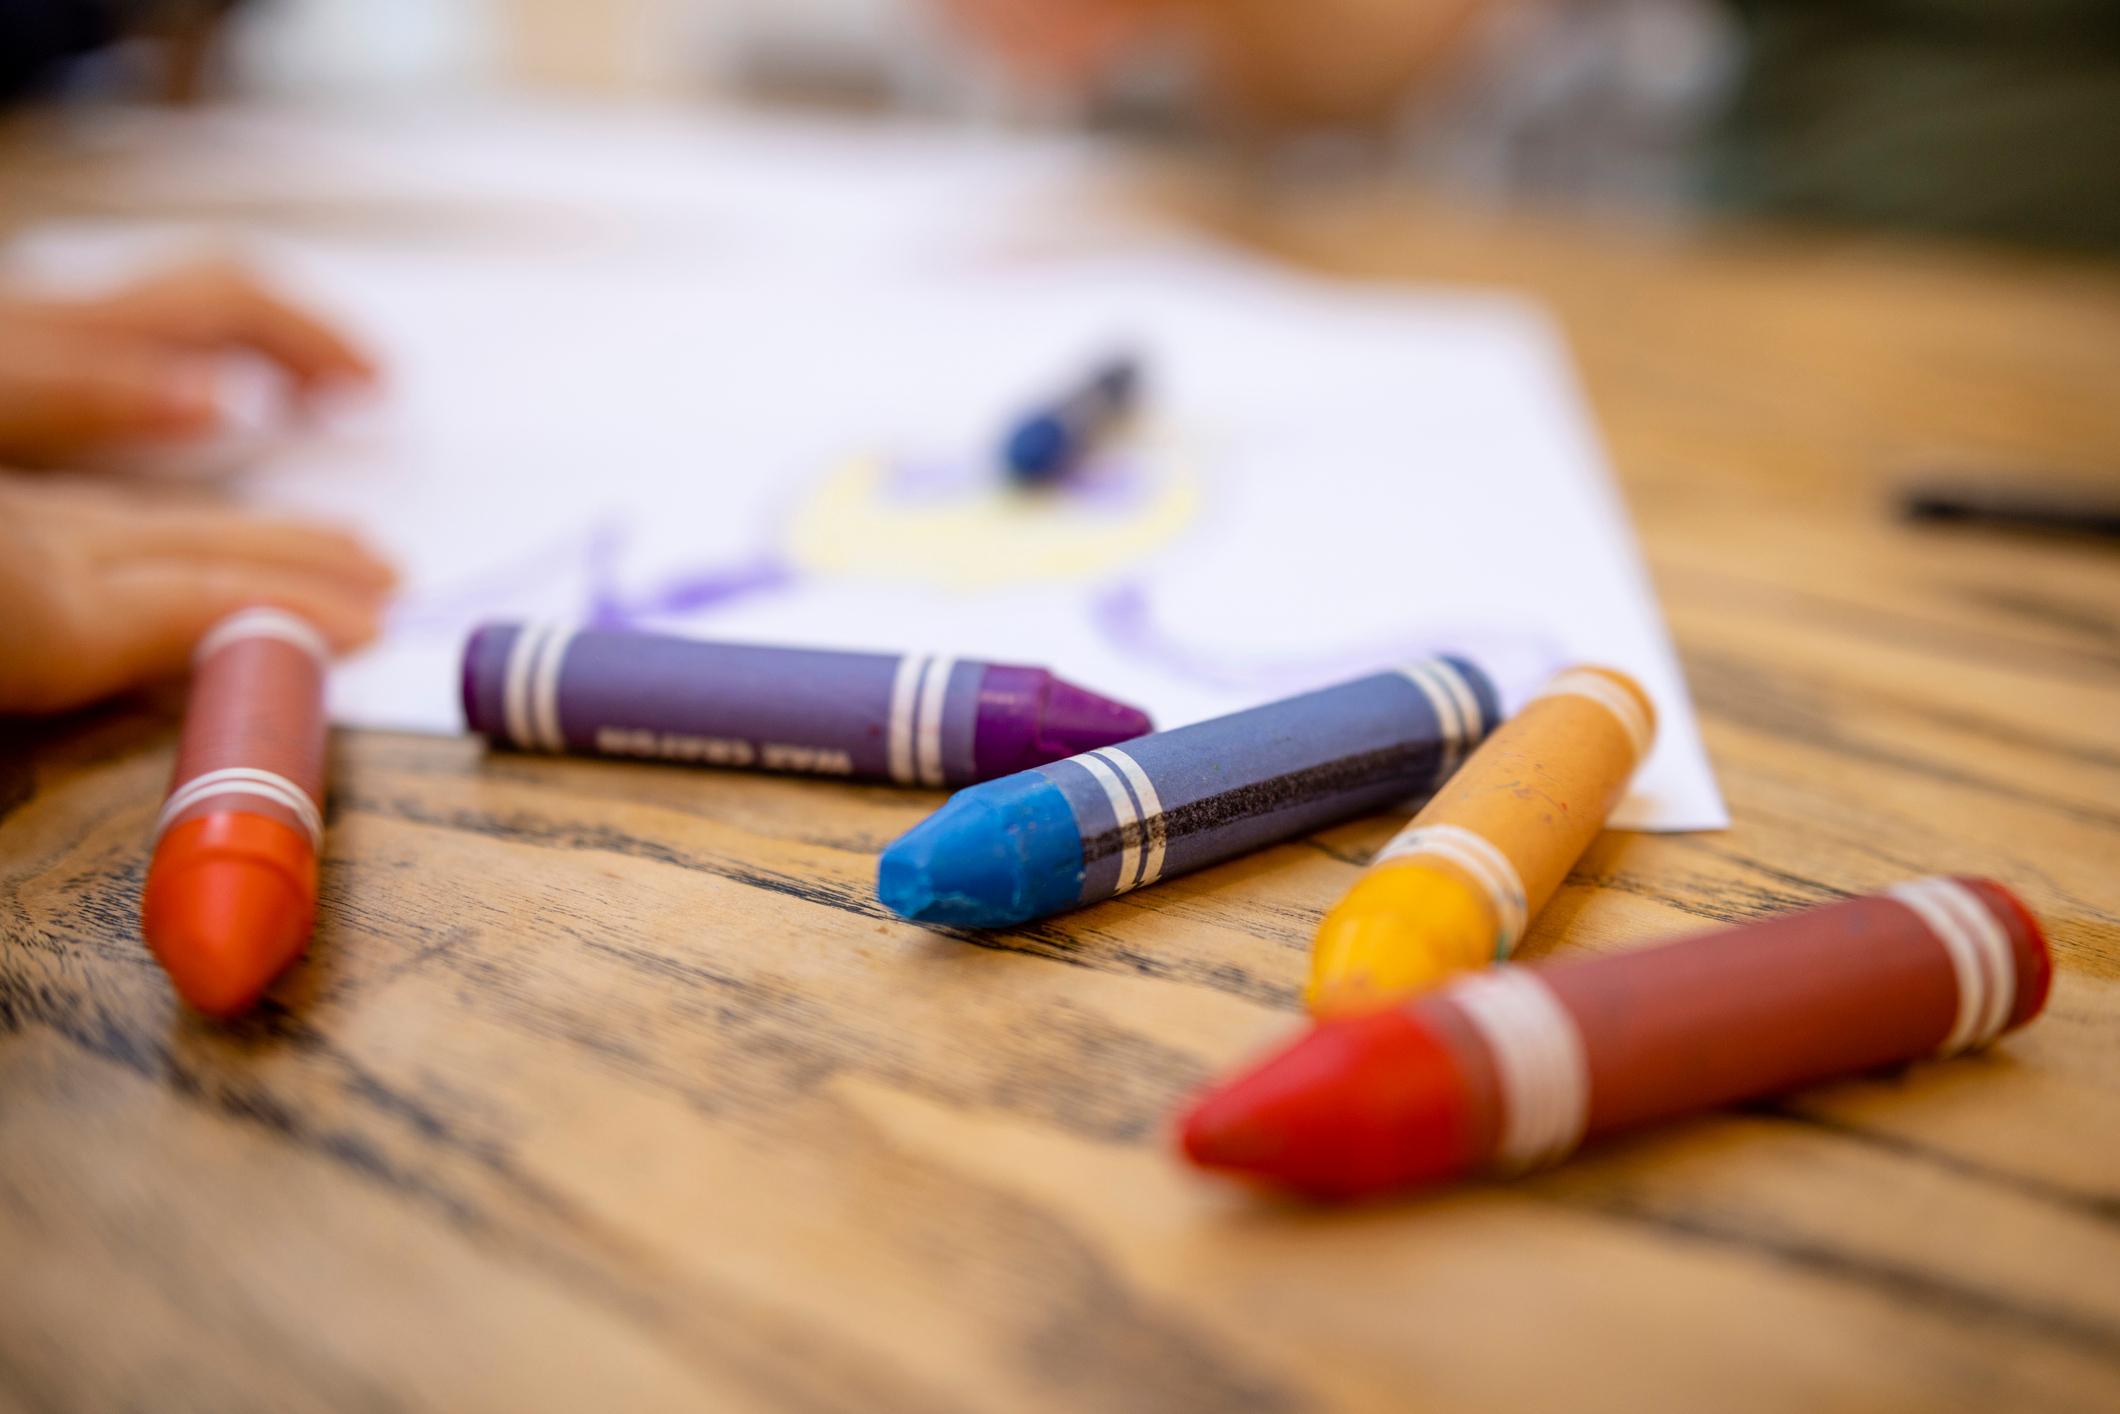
(1328, 478)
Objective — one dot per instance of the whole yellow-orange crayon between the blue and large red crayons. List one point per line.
(1460, 885)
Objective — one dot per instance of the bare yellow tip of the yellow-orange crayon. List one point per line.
(1402, 930)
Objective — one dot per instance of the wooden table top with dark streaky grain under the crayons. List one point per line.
(614, 1086)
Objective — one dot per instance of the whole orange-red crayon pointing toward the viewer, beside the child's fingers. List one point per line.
(232, 889)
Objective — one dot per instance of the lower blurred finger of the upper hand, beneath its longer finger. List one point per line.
(65, 393)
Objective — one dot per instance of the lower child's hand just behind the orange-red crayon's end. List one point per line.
(105, 593)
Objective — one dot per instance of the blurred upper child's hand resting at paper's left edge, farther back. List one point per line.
(139, 366)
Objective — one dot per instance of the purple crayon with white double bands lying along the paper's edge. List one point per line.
(915, 720)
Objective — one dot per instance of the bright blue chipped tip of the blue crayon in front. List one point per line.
(993, 855)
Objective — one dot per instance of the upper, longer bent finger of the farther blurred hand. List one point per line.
(222, 306)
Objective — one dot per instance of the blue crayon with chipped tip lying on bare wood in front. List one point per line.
(1120, 817)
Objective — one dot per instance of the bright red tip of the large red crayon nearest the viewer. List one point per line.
(1354, 1108)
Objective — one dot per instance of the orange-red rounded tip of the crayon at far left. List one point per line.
(228, 906)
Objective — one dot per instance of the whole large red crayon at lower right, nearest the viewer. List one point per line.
(1515, 1067)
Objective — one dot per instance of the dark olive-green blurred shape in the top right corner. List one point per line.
(1992, 120)
